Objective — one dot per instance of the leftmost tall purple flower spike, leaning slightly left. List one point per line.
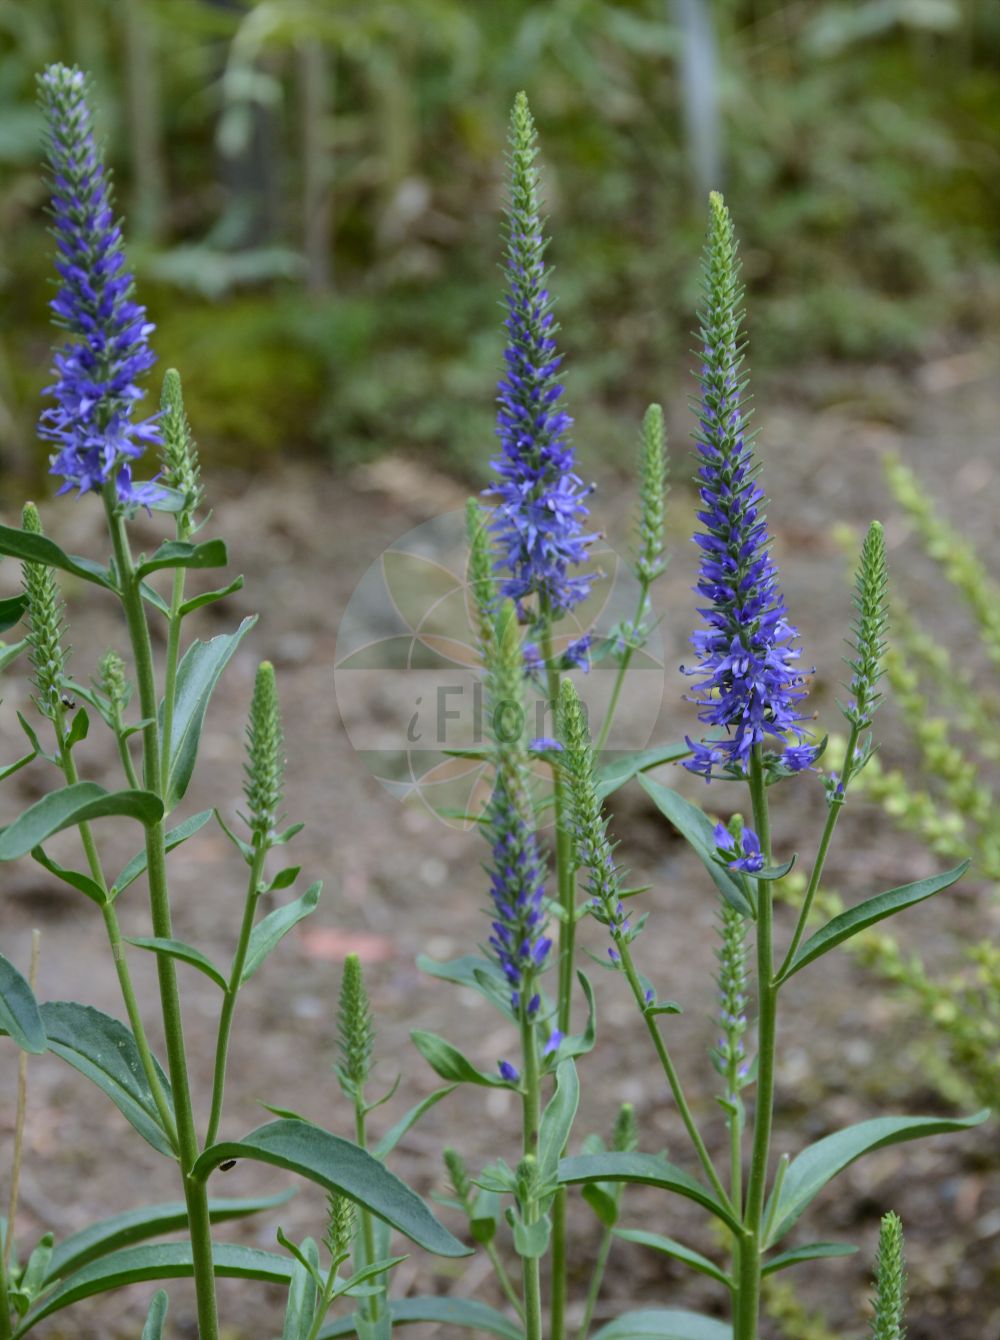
(108, 350)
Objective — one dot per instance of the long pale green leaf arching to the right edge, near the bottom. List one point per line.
(810, 1172)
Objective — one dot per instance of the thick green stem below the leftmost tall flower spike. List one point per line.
(195, 1193)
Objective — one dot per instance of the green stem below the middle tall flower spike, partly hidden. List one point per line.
(566, 882)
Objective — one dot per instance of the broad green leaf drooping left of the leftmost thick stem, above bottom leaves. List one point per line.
(105, 1051)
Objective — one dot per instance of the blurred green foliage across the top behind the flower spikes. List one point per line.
(312, 191)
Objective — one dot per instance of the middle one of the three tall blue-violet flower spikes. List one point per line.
(541, 511)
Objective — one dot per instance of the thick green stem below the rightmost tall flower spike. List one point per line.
(750, 1251)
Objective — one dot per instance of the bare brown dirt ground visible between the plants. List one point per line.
(405, 884)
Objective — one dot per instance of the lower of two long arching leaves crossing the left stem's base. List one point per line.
(160, 1262)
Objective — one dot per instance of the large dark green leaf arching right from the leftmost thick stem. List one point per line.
(341, 1168)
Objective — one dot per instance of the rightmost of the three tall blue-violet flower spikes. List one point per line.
(749, 683)
